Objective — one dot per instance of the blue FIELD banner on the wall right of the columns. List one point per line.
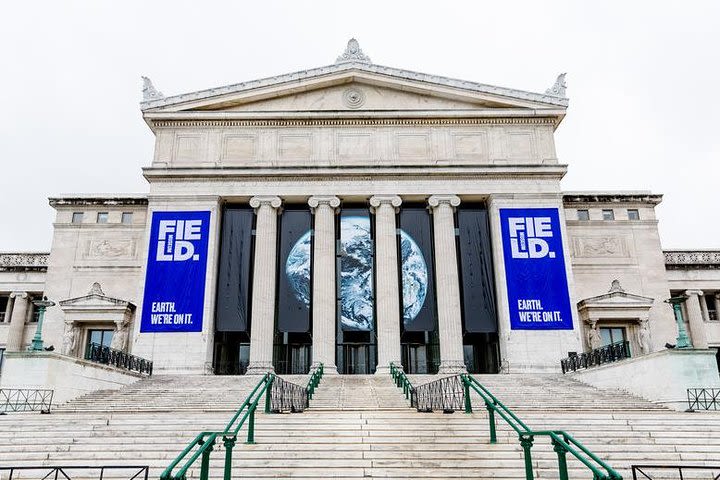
(535, 272)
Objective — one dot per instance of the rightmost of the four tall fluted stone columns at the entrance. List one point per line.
(447, 284)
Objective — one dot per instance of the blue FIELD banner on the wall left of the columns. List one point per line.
(176, 268)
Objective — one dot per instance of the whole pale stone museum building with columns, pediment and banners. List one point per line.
(357, 215)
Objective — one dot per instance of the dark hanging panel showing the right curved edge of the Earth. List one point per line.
(416, 266)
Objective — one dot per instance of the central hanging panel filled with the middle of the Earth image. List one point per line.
(356, 271)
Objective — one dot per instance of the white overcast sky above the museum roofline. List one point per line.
(643, 81)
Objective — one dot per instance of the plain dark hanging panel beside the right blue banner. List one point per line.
(478, 281)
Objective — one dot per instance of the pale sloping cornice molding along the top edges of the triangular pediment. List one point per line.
(355, 65)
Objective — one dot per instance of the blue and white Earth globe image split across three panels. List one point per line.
(356, 274)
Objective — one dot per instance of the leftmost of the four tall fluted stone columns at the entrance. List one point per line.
(262, 322)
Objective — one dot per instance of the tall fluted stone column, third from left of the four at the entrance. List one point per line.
(387, 281)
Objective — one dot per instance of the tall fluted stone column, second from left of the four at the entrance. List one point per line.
(323, 277)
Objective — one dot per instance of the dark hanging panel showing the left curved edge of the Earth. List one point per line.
(294, 284)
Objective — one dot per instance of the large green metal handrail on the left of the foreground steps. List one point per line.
(203, 444)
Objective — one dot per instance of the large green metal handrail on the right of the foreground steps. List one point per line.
(563, 443)
